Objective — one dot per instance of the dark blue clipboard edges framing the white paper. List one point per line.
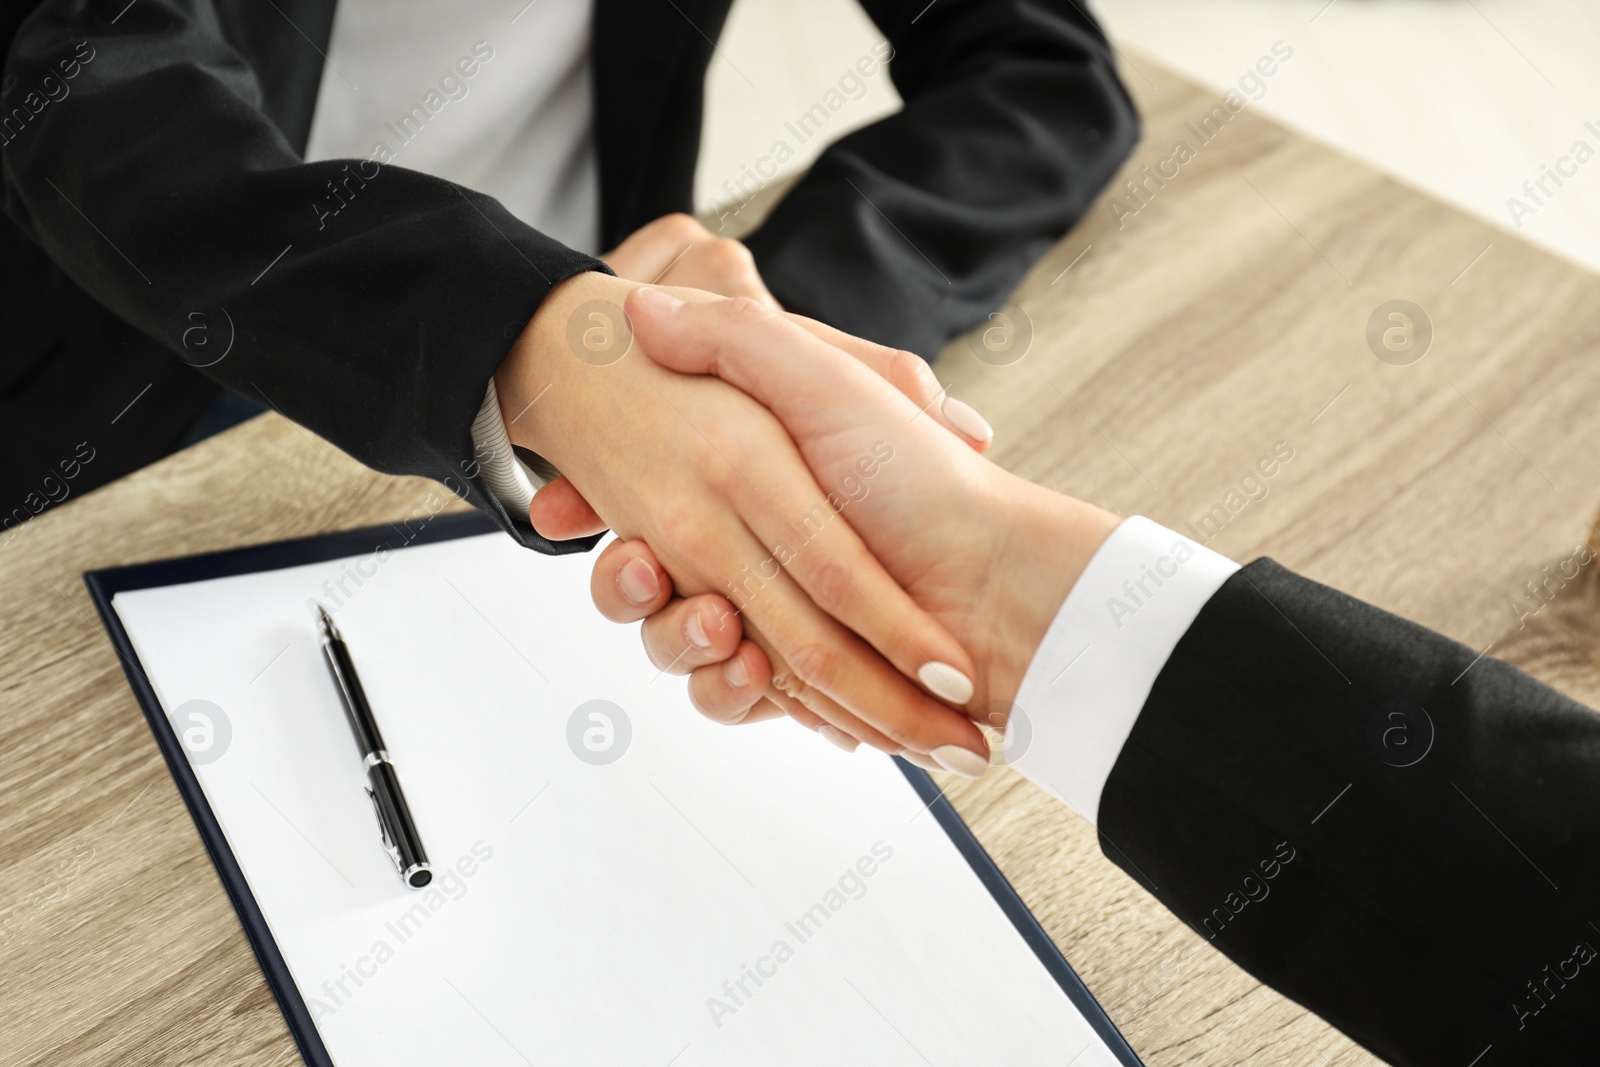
(282, 554)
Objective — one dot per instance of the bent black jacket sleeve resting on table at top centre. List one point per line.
(913, 230)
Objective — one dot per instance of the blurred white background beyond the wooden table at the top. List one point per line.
(1466, 100)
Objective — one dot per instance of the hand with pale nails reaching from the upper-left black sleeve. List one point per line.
(714, 486)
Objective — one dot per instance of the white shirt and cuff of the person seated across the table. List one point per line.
(492, 95)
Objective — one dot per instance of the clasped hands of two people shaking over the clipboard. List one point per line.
(806, 522)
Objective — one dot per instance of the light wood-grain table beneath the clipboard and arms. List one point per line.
(1172, 348)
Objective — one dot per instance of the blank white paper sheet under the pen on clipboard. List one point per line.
(711, 897)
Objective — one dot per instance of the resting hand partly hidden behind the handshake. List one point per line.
(678, 250)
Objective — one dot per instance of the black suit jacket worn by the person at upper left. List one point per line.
(159, 207)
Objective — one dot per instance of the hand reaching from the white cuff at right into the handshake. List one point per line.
(991, 556)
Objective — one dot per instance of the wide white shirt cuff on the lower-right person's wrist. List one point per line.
(1103, 653)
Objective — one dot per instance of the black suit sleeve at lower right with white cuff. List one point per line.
(1378, 823)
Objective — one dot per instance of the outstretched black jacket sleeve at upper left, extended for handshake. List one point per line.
(159, 186)
